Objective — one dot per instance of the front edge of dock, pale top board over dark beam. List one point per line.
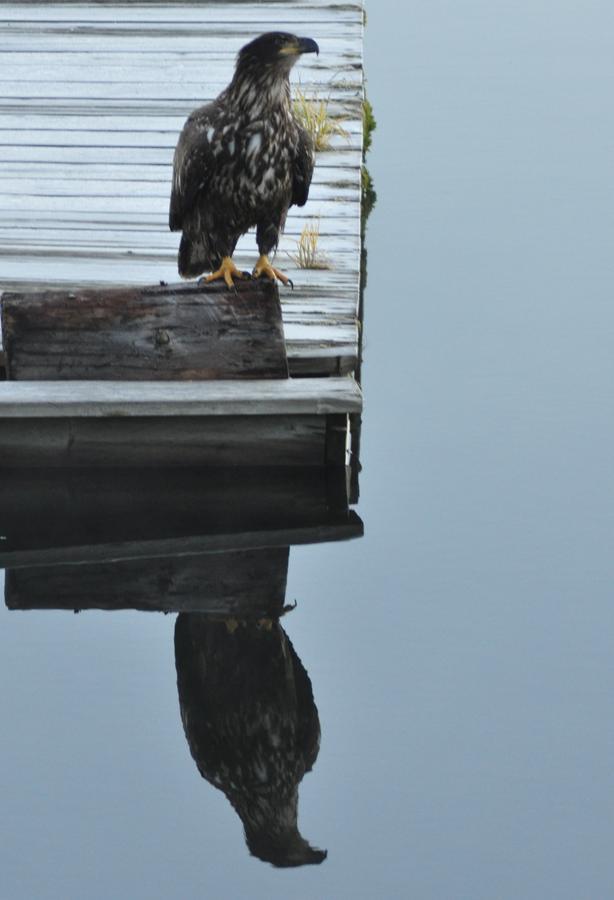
(208, 423)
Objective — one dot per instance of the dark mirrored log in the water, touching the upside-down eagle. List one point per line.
(250, 582)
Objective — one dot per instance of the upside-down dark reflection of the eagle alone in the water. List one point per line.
(251, 724)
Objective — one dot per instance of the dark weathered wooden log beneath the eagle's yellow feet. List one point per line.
(174, 332)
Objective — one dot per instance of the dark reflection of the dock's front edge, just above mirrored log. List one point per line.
(76, 516)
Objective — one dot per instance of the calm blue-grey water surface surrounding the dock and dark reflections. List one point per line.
(461, 653)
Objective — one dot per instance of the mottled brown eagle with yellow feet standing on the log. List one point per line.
(242, 161)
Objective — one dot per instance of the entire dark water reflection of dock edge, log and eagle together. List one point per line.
(214, 547)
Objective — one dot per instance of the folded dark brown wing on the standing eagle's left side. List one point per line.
(192, 164)
